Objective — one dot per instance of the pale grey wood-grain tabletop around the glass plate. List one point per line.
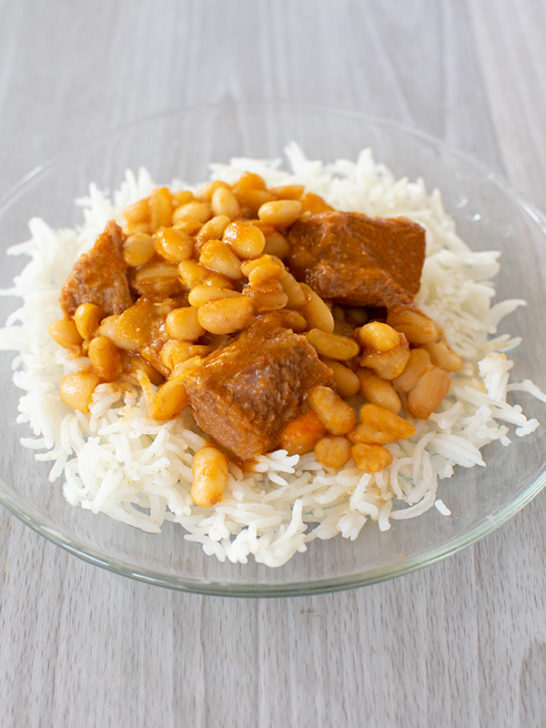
(458, 644)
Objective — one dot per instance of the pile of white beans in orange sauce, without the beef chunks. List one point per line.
(219, 254)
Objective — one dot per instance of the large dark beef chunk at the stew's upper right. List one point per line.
(358, 260)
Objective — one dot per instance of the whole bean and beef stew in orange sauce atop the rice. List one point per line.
(276, 319)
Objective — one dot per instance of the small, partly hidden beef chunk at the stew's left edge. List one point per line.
(100, 276)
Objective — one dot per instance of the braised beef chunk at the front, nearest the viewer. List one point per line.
(243, 394)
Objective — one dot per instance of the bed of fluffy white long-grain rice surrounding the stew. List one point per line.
(118, 461)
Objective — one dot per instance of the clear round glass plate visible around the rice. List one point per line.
(489, 215)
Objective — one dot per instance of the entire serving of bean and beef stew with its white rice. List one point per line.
(267, 359)
